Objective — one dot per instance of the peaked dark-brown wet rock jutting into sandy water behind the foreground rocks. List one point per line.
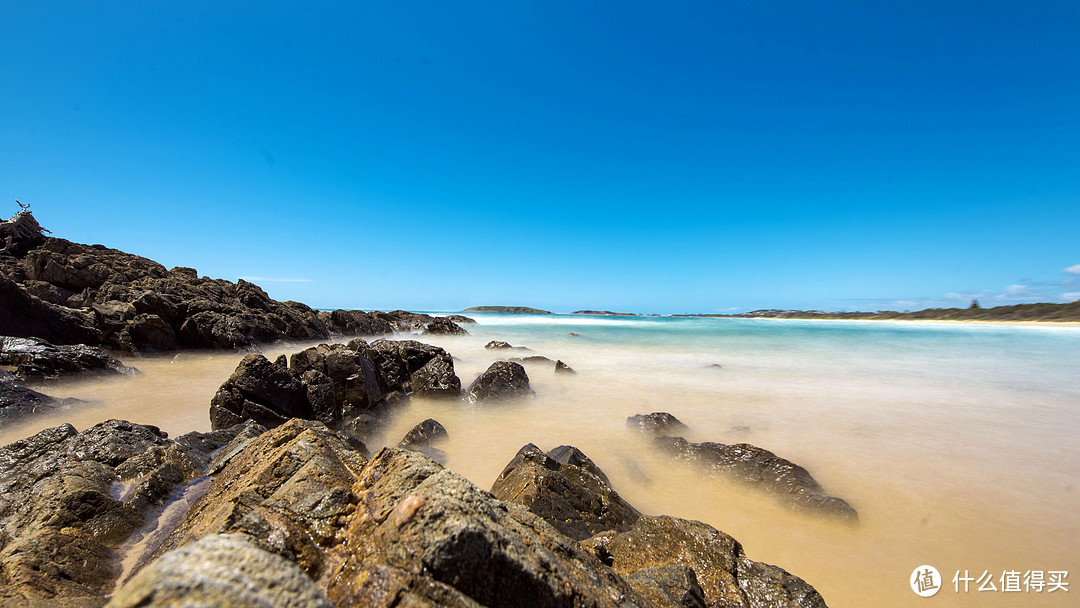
(566, 490)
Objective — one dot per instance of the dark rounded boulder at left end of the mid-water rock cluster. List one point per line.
(261, 391)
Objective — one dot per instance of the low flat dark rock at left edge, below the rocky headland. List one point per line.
(37, 360)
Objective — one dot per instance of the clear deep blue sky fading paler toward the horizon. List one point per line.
(687, 157)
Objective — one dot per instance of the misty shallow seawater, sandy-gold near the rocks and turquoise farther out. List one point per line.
(956, 443)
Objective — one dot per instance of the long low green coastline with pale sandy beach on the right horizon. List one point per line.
(1039, 313)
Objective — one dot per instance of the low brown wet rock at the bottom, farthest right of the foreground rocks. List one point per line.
(724, 573)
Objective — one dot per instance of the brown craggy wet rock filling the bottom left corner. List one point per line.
(69, 499)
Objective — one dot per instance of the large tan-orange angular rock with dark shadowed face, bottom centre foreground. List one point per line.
(423, 536)
